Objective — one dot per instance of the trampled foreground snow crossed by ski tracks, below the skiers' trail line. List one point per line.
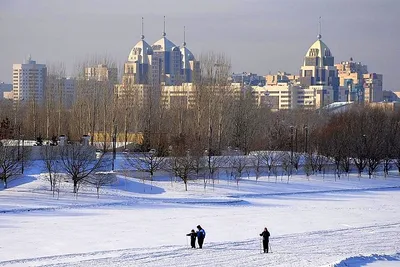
(318, 248)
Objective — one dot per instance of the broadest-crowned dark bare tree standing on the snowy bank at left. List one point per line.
(79, 162)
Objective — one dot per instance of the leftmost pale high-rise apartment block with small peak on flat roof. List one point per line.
(29, 81)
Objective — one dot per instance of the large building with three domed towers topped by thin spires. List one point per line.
(155, 71)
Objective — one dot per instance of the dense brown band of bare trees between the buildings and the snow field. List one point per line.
(217, 122)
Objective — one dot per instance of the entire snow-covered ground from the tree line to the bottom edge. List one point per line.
(321, 222)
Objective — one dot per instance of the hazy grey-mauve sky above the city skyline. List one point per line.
(257, 35)
